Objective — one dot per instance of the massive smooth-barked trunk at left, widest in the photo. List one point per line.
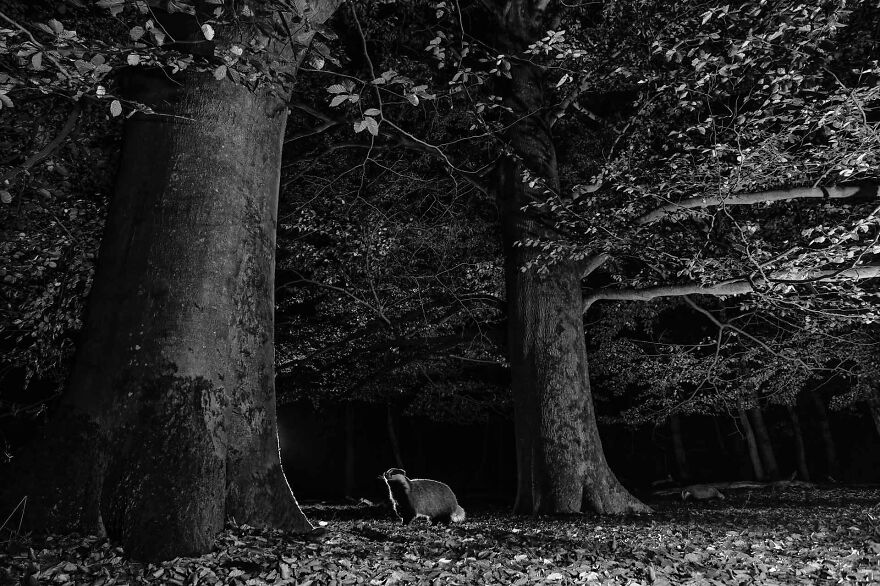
(169, 425)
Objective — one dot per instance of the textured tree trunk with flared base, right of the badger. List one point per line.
(561, 465)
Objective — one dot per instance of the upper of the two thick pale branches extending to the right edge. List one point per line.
(833, 192)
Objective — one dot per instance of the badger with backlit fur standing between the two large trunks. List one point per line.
(420, 497)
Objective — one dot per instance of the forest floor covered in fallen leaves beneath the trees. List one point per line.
(797, 536)
